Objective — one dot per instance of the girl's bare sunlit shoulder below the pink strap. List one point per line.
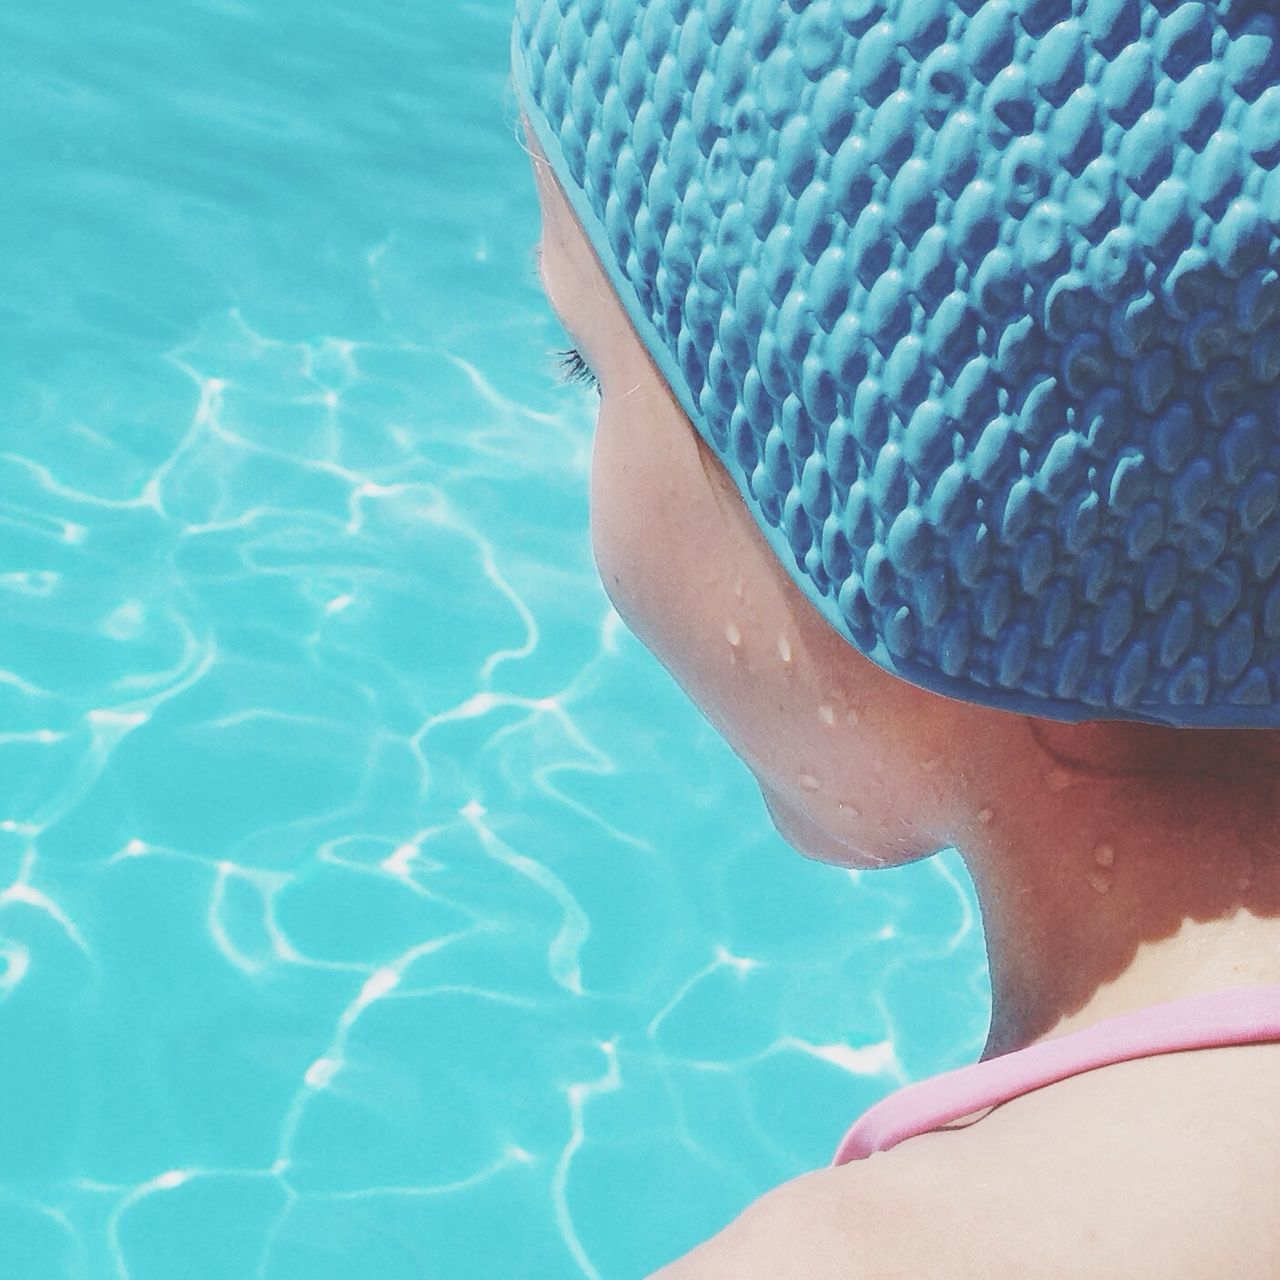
(1142, 1171)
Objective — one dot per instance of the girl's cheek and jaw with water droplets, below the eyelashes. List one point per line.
(706, 597)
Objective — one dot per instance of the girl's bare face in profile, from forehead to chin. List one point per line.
(689, 572)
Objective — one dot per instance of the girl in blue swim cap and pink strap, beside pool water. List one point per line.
(939, 460)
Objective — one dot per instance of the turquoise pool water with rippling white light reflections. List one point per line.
(372, 906)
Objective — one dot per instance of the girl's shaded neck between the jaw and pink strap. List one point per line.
(1098, 900)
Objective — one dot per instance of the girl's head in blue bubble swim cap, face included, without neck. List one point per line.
(977, 336)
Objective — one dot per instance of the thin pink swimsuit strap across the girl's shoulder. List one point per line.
(1246, 1016)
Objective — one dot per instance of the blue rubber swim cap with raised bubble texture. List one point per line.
(977, 303)
